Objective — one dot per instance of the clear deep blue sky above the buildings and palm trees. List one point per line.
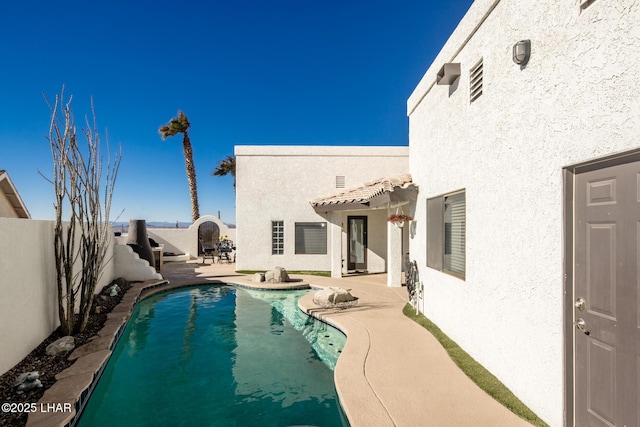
(245, 73)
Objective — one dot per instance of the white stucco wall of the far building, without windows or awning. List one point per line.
(277, 182)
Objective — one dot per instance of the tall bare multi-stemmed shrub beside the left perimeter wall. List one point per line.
(81, 243)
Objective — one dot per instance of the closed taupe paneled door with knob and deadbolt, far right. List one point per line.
(607, 344)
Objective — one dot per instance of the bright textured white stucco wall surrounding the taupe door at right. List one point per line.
(577, 99)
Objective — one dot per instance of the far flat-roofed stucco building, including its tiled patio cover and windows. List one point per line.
(322, 208)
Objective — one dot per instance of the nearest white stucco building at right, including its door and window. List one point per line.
(524, 144)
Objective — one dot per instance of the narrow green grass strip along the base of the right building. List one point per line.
(475, 371)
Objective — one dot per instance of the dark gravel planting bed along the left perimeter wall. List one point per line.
(49, 366)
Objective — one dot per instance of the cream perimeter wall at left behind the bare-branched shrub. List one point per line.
(28, 290)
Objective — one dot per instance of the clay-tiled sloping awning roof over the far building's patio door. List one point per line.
(387, 191)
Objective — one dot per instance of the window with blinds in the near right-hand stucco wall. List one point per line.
(446, 233)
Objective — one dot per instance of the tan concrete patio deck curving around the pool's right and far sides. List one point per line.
(392, 372)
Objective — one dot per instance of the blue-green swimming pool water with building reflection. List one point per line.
(220, 356)
